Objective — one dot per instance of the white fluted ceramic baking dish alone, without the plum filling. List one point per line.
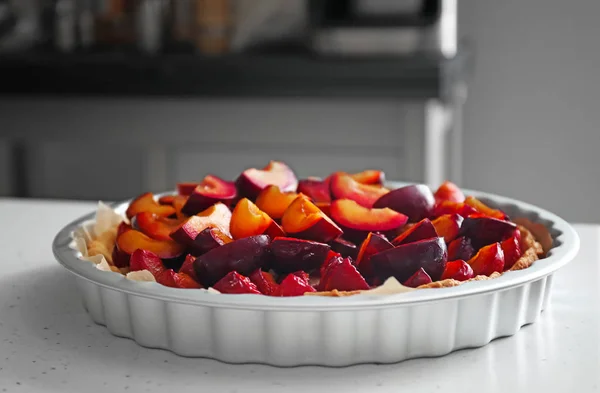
(328, 331)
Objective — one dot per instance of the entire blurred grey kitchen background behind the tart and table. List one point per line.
(104, 99)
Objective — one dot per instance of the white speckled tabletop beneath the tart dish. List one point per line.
(49, 344)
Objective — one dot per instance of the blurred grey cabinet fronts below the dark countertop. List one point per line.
(116, 148)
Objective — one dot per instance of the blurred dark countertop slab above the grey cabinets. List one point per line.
(292, 74)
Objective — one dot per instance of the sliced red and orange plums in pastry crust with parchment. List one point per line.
(269, 234)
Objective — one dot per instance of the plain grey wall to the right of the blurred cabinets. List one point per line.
(533, 114)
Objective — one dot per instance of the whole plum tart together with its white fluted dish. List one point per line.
(345, 270)
